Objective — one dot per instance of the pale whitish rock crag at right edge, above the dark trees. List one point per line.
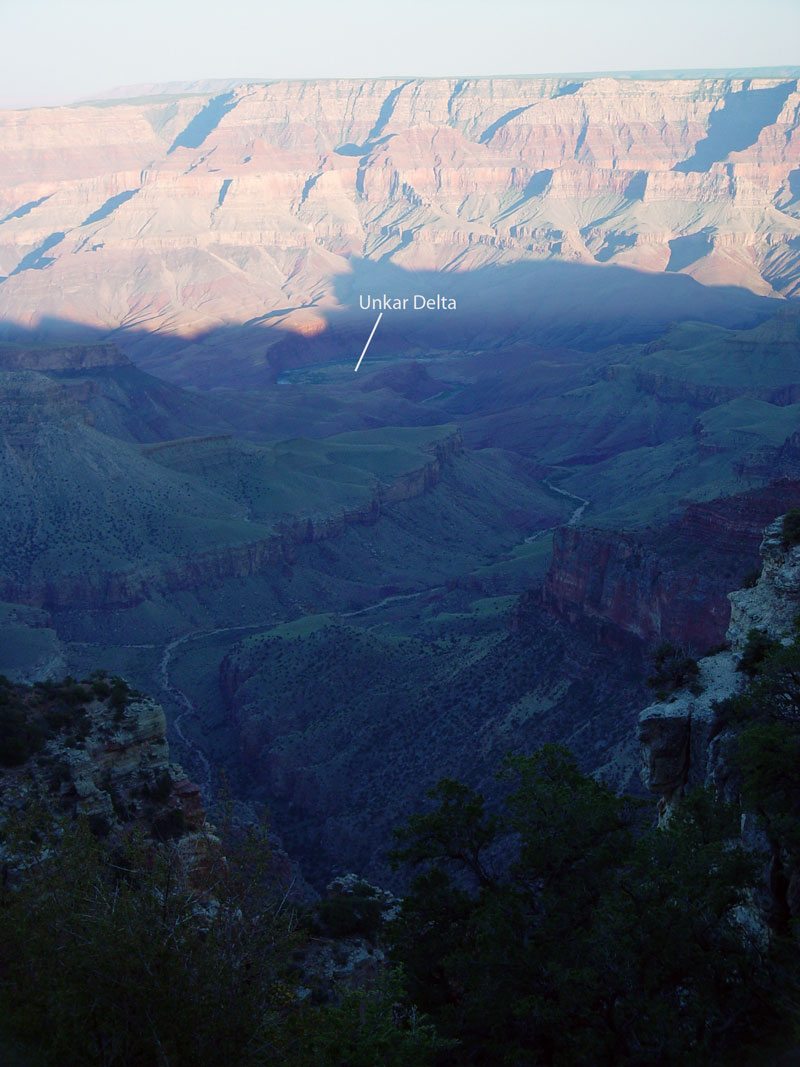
(683, 743)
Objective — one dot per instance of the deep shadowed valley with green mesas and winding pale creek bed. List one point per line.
(456, 565)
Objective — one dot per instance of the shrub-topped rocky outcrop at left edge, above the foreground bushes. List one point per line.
(99, 750)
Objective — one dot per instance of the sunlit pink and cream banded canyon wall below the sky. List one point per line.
(182, 215)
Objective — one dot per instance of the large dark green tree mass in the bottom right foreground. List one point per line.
(559, 932)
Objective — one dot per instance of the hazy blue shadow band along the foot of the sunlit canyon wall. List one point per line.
(548, 305)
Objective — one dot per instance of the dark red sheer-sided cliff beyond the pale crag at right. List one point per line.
(634, 591)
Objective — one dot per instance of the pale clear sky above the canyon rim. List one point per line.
(61, 51)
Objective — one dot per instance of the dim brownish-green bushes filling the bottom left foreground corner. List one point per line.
(108, 958)
